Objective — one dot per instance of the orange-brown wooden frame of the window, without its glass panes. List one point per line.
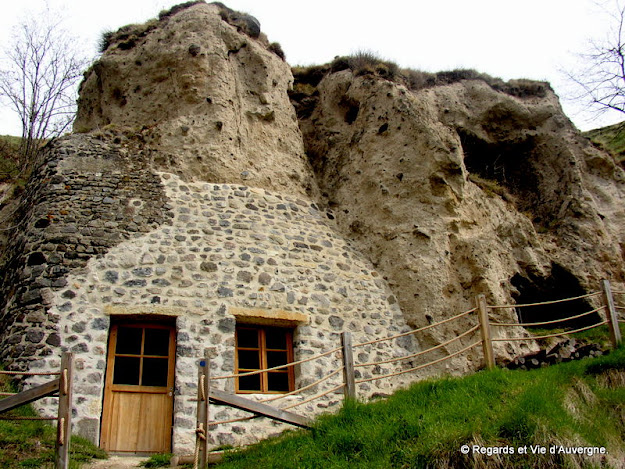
(262, 331)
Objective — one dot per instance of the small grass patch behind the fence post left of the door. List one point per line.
(26, 444)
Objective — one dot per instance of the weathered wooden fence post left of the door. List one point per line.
(64, 424)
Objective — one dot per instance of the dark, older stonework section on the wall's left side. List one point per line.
(85, 197)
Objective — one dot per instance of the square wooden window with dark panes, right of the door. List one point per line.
(260, 347)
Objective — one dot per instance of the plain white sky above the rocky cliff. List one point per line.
(509, 39)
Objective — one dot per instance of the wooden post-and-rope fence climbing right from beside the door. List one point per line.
(480, 333)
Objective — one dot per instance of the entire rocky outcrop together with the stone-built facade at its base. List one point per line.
(204, 181)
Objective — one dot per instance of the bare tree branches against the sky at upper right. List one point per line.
(601, 79)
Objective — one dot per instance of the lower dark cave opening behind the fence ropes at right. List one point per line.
(559, 285)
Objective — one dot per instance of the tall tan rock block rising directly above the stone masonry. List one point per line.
(209, 100)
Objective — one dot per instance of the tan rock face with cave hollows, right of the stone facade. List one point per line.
(462, 189)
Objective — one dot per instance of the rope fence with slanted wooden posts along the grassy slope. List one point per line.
(607, 311)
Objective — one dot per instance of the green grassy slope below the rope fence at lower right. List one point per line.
(426, 425)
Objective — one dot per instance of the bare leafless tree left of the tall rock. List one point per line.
(39, 71)
